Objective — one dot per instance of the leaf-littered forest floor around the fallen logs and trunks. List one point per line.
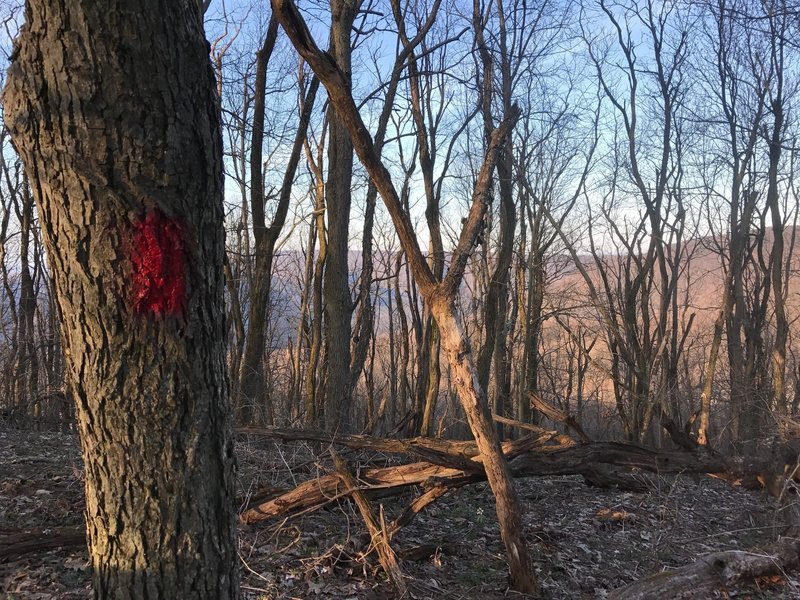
(584, 541)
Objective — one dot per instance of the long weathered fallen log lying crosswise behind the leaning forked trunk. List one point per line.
(448, 465)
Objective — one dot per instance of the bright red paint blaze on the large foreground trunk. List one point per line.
(159, 266)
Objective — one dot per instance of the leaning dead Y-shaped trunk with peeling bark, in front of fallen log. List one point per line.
(440, 295)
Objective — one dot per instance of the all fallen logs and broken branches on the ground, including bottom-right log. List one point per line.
(440, 466)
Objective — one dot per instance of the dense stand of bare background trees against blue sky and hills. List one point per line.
(654, 152)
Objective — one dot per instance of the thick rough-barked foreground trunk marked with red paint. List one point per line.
(113, 111)
